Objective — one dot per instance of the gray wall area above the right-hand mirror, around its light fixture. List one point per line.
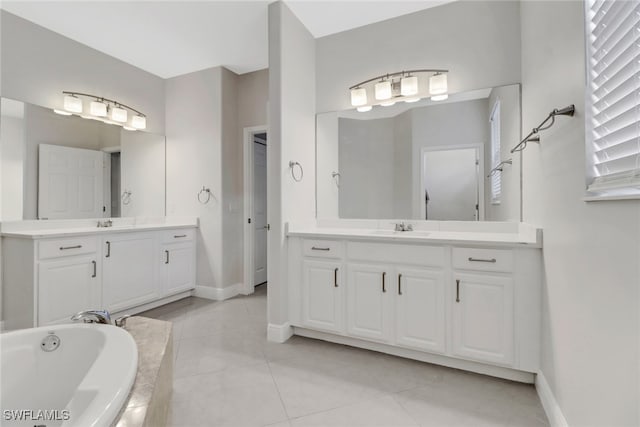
(478, 41)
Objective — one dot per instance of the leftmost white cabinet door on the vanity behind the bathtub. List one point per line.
(66, 287)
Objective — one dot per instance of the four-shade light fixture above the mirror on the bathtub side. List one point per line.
(103, 109)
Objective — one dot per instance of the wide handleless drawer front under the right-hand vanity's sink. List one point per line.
(432, 256)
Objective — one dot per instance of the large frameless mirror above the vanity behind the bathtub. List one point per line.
(68, 167)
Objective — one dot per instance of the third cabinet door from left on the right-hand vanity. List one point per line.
(420, 318)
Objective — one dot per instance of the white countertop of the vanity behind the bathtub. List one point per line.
(69, 228)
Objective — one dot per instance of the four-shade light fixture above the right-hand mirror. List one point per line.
(399, 86)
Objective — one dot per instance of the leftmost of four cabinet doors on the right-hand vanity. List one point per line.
(322, 299)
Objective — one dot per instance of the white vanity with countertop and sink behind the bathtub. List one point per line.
(54, 269)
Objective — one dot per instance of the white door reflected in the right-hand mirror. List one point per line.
(451, 184)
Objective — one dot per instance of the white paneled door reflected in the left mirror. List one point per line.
(69, 182)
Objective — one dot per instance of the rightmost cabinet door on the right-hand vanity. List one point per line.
(483, 318)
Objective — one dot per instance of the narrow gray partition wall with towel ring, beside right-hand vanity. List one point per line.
(292, 101)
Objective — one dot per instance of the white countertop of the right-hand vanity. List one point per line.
(495, 234)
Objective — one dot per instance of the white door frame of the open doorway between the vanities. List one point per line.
(248, 284)
